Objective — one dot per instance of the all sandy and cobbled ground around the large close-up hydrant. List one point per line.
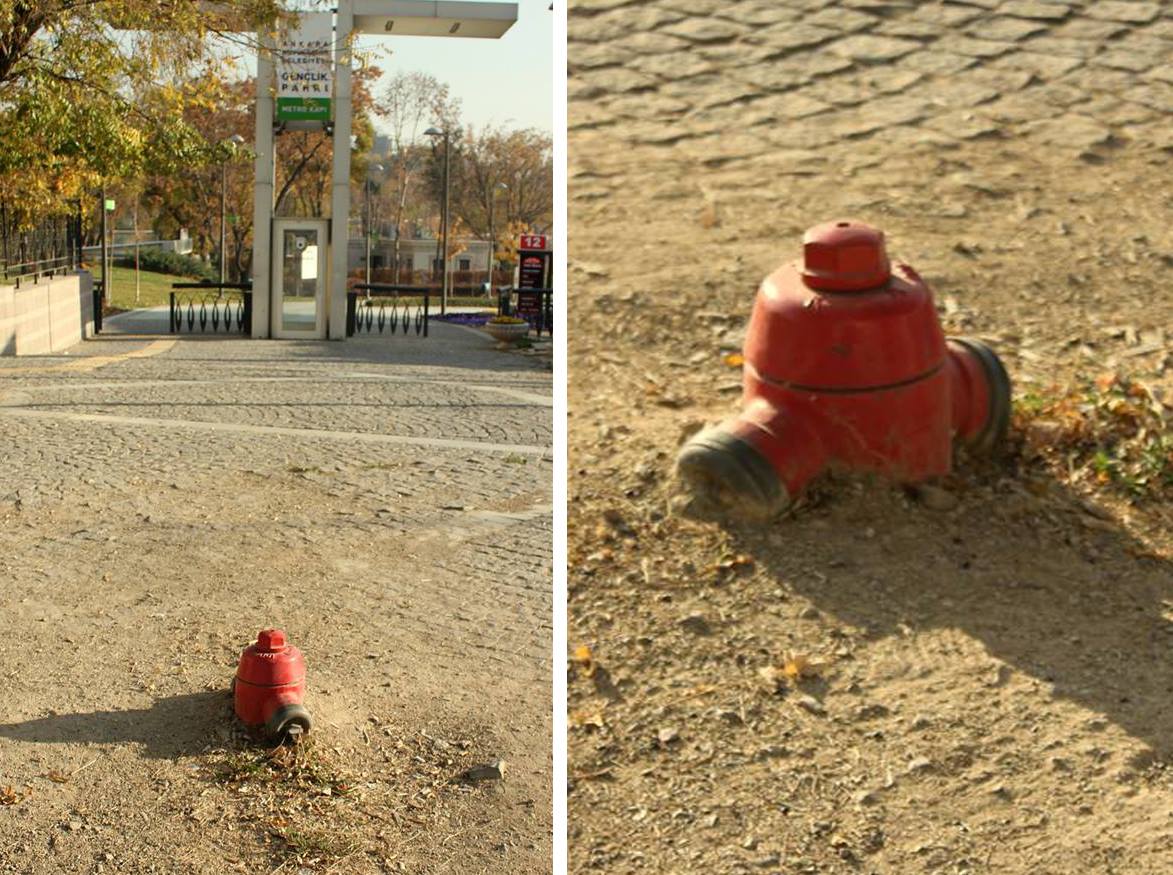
(991, 673)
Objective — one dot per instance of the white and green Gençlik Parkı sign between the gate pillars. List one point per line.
(306, 70)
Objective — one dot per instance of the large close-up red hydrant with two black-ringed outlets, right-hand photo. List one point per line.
(846, 367)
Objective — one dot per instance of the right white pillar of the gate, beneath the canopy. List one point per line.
(341, 201)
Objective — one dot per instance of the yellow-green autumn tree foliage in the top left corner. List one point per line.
(87, 90)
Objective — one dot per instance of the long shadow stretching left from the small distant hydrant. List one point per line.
(173, 727)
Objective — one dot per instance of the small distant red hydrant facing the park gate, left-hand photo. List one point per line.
(270, 687)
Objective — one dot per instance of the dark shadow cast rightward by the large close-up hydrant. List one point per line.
(1052, 587)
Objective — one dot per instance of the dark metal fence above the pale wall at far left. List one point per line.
(31, 249)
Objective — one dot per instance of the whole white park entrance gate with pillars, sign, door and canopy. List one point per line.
(304, 79)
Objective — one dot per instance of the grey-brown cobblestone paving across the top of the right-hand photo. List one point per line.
(733, 82)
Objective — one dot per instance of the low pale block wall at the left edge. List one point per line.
(46, 317)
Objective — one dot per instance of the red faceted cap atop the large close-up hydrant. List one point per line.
(845, 257)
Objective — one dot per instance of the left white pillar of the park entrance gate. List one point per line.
(263, 192)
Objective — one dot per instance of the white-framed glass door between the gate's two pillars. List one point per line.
(300, 279)
